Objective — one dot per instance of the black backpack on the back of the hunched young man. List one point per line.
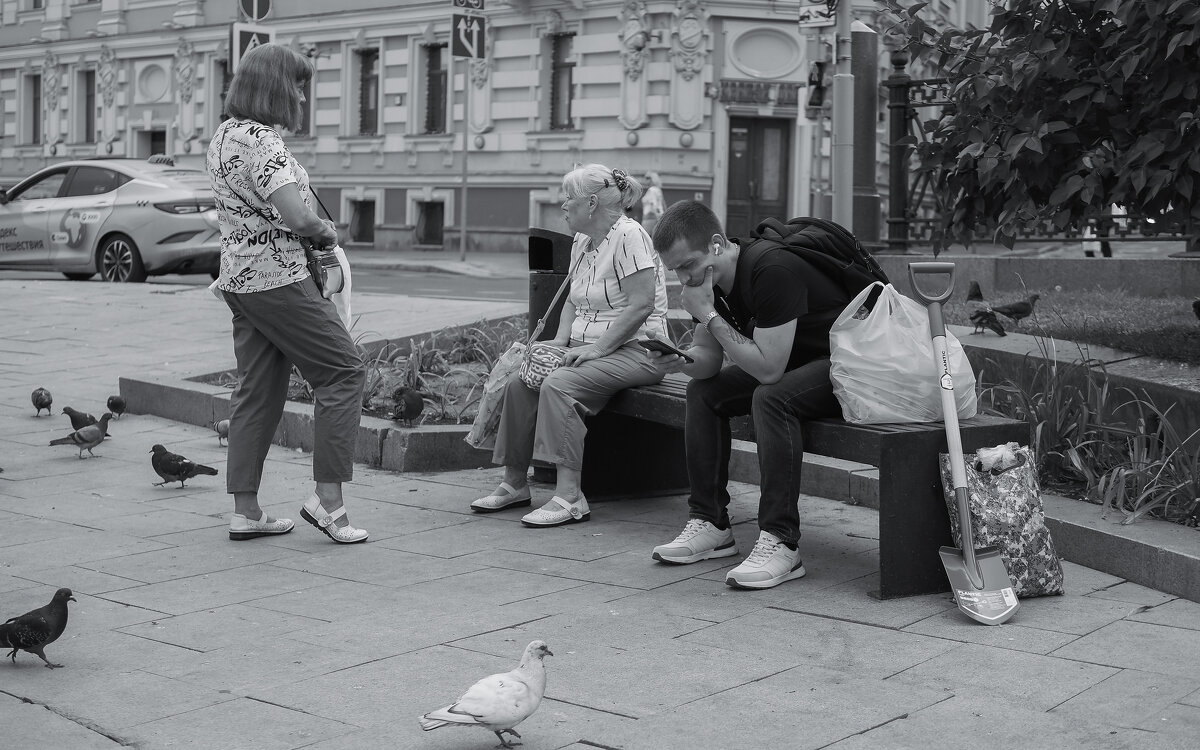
(827, 247)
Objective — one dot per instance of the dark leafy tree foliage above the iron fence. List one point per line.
(1060, 110)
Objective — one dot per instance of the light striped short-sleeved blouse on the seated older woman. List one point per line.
(597, 285)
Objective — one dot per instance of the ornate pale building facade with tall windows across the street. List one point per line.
(709, 94)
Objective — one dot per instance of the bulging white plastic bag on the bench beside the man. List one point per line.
(883, 364)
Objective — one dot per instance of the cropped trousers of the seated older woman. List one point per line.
(548, 425)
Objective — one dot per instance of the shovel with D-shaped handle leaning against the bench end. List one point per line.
(979, 578)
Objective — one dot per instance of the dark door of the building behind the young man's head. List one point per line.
(759, 173)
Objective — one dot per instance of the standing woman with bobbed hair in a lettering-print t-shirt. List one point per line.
(280, 317)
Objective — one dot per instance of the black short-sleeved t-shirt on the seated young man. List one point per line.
(773, 286)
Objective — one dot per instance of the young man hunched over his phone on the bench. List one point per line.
(770, 313)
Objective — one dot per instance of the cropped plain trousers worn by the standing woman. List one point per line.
(273, 331)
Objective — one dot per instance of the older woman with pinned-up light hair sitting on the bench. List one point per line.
(617, 296)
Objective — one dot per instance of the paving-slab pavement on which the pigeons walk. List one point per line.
(183, 639)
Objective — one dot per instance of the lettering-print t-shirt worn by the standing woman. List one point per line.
(248, 163)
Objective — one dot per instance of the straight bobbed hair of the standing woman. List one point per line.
(265, 88)
